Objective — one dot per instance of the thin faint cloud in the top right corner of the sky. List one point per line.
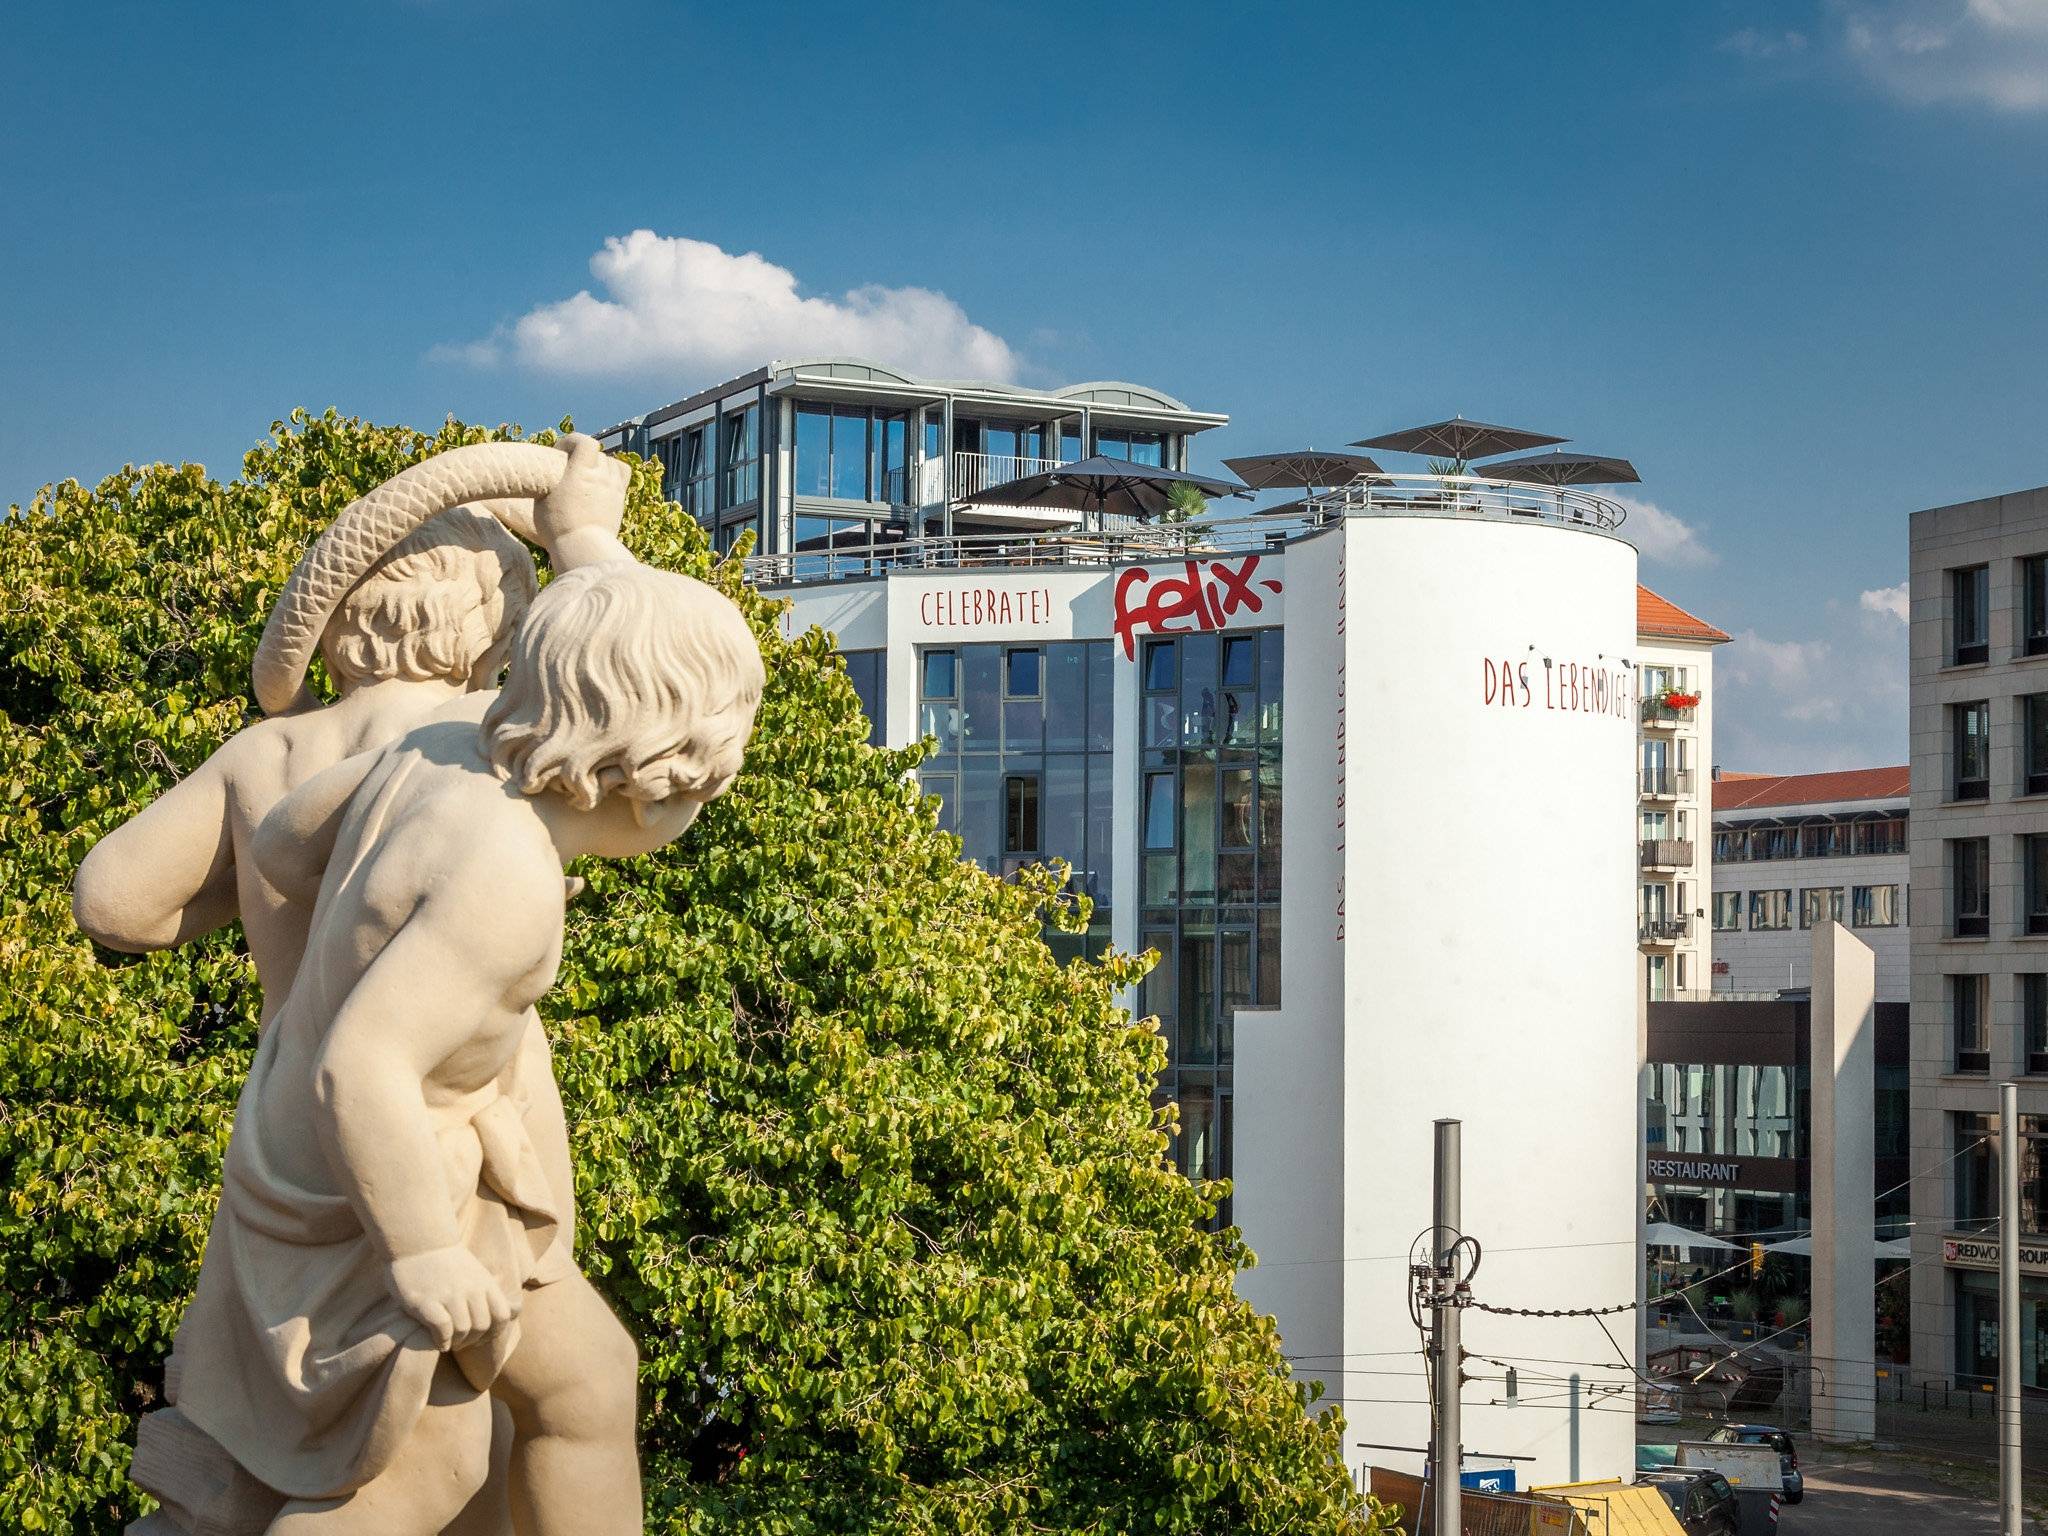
(1977, 52)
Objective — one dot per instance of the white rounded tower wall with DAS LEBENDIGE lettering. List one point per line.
(1465, 718)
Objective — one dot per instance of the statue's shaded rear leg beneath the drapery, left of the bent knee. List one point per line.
(441, 1465)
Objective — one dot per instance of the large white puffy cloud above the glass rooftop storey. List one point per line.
(689, 308)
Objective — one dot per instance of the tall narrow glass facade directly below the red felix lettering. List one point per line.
(1209, 812)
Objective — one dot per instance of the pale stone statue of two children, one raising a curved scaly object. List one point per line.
(390, 1256)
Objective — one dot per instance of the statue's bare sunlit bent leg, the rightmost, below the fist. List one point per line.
(570, 1385)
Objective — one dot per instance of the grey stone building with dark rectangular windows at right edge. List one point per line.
(1979, 923)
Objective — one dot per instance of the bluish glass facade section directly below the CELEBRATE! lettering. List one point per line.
(1025, 759)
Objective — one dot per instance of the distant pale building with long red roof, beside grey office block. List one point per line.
(1797, 849)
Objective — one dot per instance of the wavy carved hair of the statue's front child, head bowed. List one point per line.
(628, 681)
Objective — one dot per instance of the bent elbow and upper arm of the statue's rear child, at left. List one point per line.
(167, 876)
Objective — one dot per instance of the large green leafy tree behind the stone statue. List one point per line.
(873, 1179)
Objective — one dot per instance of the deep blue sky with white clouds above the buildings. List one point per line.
(1791, 259)
